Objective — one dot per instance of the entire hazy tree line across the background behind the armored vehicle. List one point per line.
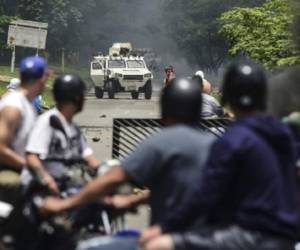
(180, 28)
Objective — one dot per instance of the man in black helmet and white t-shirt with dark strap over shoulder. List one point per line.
(56, 143)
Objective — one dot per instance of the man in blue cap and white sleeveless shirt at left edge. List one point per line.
(17, 117)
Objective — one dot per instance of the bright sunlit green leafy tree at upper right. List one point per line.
(261, 33)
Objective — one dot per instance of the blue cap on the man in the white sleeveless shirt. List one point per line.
(32, 68)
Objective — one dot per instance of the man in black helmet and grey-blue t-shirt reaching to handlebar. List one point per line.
(166, 163)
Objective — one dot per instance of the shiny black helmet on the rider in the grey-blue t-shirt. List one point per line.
(181, 100)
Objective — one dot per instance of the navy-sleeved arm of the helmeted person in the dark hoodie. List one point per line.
(209, 189)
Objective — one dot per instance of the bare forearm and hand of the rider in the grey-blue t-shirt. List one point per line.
(92, 191)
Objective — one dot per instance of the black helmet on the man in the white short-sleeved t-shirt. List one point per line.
(69, 88)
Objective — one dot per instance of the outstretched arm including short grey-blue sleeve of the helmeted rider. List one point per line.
(139, 167)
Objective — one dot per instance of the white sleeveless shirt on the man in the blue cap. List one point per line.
(18, 100)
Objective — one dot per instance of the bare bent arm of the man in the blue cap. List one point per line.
(10, 119)
